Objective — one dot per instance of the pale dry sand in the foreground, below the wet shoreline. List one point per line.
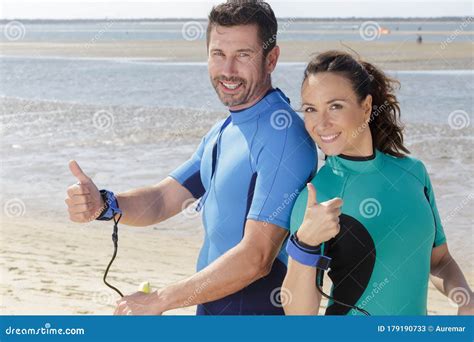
(56, 268)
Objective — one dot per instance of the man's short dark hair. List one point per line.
(246, 12)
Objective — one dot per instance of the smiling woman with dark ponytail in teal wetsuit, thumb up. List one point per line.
(370, 210)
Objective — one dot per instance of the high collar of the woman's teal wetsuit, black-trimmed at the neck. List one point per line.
(369, 164)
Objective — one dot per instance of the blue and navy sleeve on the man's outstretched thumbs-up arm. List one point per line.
(189, 173)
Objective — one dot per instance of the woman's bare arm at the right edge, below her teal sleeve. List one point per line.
(448, 278)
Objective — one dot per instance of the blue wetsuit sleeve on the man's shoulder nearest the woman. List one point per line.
(285, 164)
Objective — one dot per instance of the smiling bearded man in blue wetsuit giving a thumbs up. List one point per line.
(247, 171)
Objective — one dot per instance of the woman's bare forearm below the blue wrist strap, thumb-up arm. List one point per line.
(300, 288)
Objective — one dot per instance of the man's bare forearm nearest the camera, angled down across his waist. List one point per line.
(230, 273)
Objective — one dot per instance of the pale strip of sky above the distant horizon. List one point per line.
(92, 9)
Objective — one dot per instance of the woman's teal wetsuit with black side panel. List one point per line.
(389, 226)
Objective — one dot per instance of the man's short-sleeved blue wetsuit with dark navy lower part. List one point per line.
(251, 165)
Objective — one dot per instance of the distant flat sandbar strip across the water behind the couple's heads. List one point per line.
(389, 55)
